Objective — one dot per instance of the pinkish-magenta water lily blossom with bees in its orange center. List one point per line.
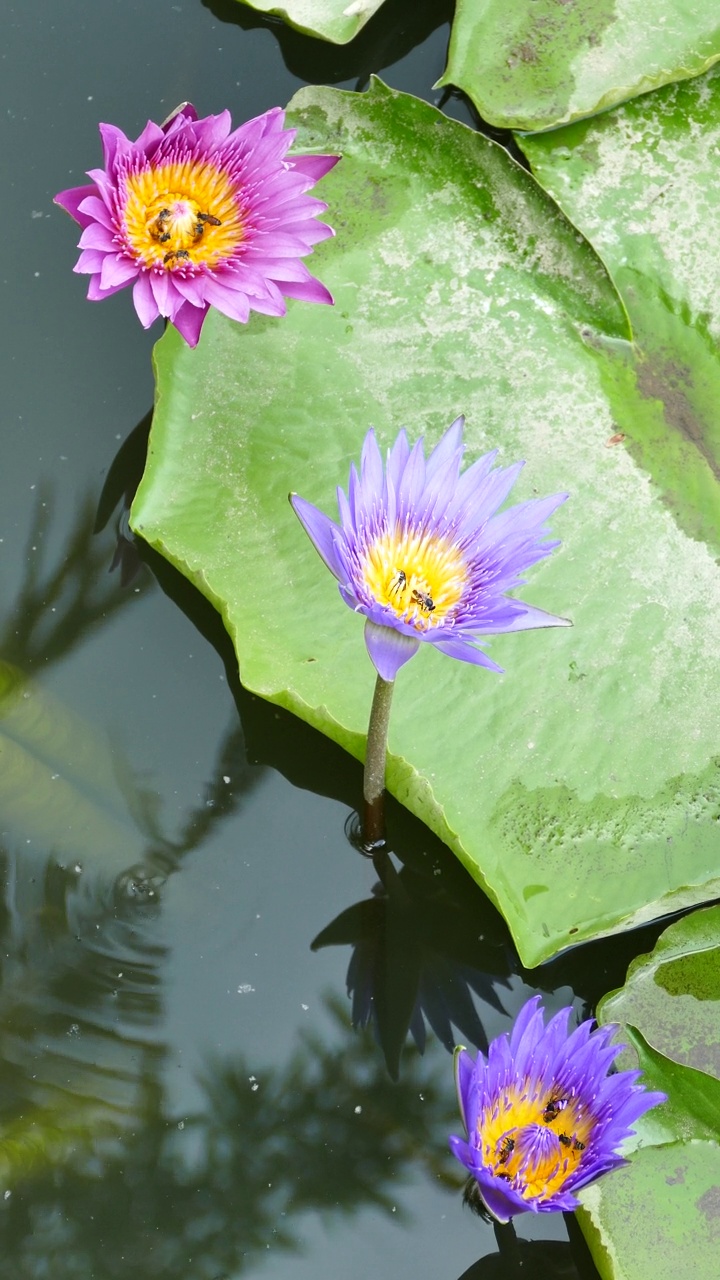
(194, 214)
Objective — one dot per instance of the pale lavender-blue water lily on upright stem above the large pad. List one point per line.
(422, 551)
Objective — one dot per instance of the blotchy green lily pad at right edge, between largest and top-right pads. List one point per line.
(642, 185)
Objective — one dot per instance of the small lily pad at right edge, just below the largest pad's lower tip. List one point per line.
(673, 995)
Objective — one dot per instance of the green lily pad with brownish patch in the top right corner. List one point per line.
(536, 65)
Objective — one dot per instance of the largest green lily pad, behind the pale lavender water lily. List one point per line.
(564, 787)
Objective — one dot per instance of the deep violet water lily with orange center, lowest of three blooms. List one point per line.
(543, 1116)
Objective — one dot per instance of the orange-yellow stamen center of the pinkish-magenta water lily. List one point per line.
(181, 214)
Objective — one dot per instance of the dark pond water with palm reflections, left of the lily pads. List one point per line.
(183, 1091)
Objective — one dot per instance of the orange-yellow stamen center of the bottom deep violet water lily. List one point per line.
(535, 1141)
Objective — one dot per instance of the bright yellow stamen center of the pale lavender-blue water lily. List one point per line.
(421, 577)
